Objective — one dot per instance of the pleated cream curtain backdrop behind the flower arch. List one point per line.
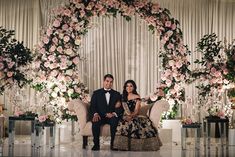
(125, 49)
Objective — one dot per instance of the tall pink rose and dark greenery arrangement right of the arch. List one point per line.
(213, 66)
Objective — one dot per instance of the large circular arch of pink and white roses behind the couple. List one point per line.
(56, 62)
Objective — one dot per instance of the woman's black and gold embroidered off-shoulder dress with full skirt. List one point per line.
(139, 134)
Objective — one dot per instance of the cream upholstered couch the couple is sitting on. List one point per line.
(154, 111)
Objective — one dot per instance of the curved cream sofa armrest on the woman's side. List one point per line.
(156, 111)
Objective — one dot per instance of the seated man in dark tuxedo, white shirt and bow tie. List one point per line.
(103, 110)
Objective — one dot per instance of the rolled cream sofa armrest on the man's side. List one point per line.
(81, 110)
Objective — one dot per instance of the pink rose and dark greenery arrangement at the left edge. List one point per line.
(14, 58)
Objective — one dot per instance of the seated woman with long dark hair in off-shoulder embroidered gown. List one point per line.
(135, 132)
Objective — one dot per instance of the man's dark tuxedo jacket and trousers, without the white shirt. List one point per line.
(99, 105)
